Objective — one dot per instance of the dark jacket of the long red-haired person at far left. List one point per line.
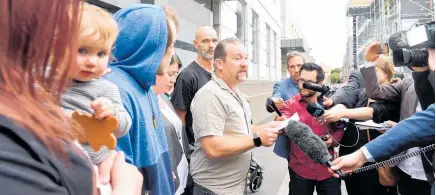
(27, 167)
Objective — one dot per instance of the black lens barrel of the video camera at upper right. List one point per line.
(410, 57)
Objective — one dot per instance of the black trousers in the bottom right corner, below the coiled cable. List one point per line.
(409, 186)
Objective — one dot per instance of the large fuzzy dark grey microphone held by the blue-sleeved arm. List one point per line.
(311, 144)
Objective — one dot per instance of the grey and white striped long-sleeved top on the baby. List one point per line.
(80, 96)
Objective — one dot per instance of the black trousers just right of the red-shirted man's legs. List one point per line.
(367, 183)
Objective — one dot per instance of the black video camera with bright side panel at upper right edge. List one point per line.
(409, 48)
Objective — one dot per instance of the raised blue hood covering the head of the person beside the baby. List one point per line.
(141, 42)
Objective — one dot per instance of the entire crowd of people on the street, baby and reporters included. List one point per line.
(185, 131)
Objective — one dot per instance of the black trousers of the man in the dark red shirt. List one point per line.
(302, 186)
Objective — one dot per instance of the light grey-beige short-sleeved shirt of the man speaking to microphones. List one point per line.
(218, 110)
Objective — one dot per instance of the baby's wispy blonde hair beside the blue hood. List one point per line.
(97, 22)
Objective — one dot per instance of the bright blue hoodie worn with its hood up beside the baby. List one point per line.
(139, 49)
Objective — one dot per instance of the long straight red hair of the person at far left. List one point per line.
(38, 46)
